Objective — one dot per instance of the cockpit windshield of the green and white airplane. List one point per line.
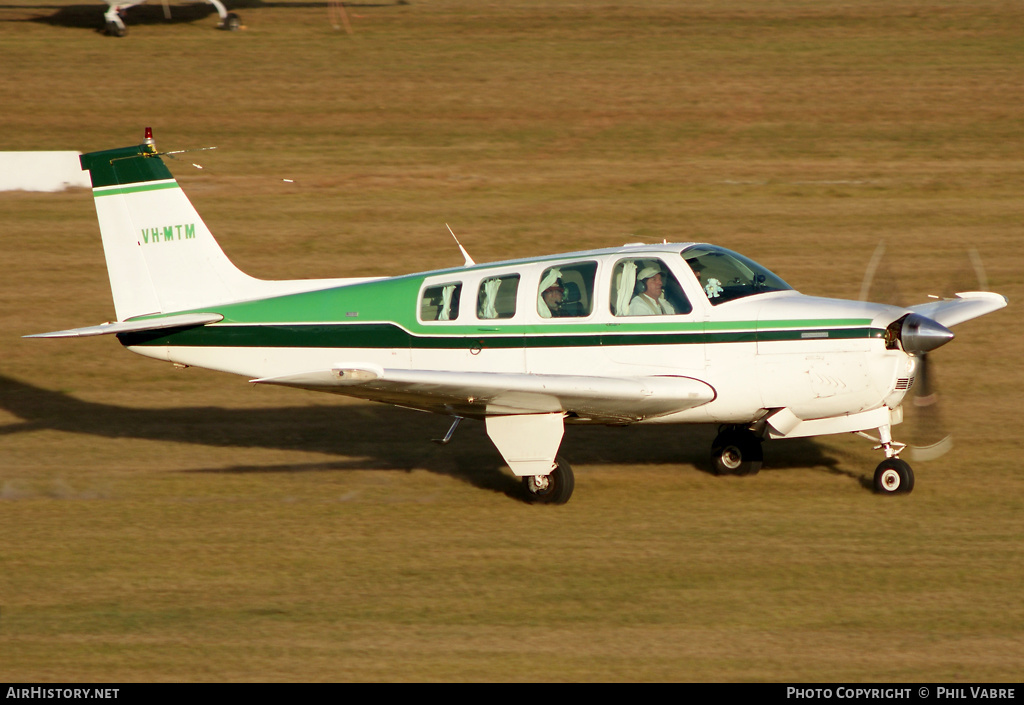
(727, 276)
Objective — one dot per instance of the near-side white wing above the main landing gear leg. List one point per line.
(487, 394)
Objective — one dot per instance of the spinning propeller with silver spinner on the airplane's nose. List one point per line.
(929, 436)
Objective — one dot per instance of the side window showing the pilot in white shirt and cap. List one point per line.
(647, 287)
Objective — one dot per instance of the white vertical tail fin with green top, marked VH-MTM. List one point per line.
(160, 256)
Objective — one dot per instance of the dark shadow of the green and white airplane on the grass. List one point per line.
(374, 437)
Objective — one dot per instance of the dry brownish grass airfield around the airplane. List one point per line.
(163, 525)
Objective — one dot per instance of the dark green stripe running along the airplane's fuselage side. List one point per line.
(390, 336)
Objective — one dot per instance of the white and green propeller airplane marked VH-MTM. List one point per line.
(670, 334)
